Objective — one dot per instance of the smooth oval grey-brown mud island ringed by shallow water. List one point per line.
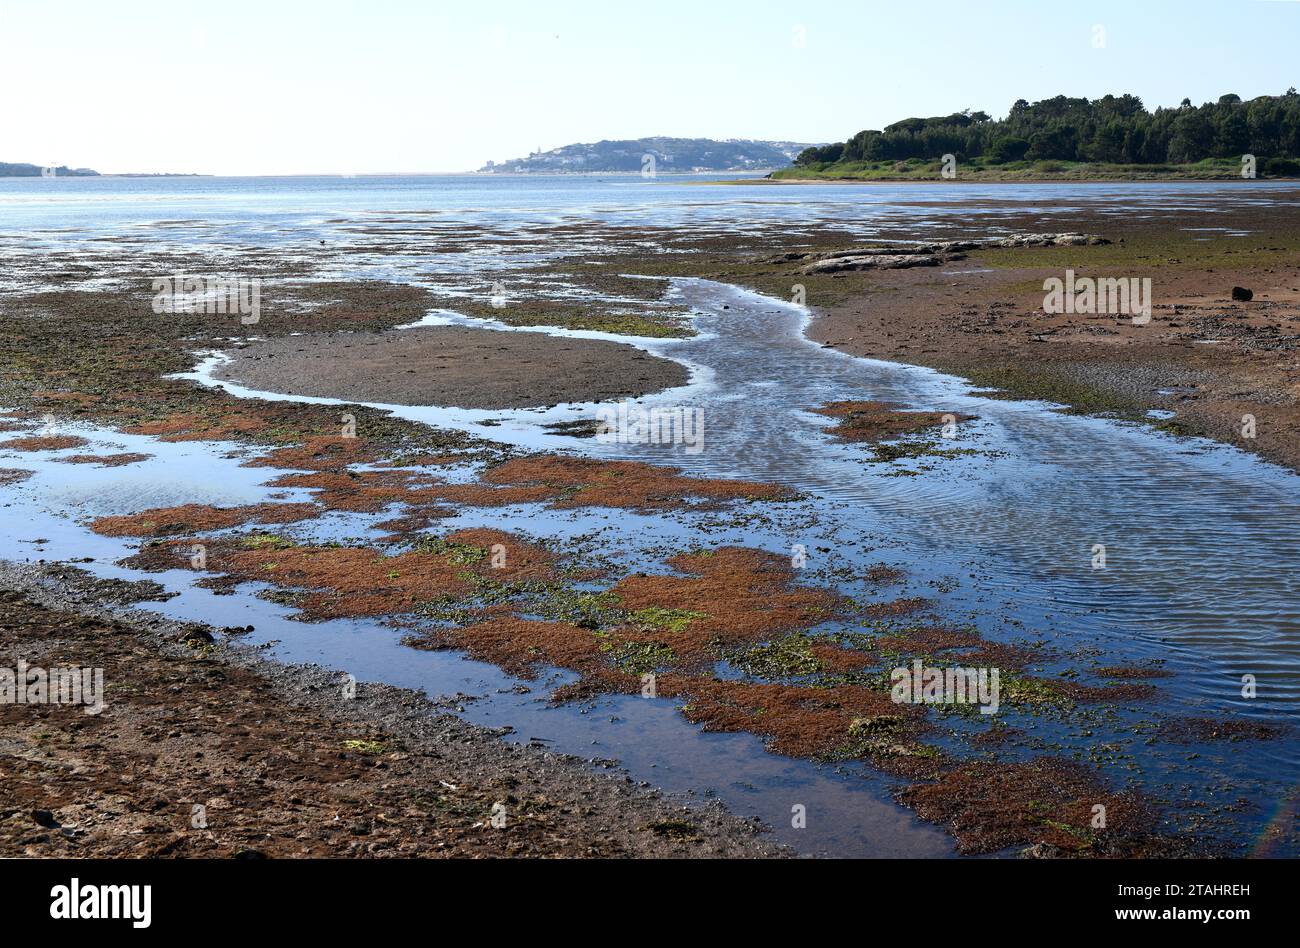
(452, 366)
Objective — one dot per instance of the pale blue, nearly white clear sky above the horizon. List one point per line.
(280, 88)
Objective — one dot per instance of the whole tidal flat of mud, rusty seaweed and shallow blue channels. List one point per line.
(899, 466)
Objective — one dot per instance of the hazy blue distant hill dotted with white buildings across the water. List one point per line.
(670, 155)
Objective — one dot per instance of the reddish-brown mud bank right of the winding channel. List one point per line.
(1206, 365)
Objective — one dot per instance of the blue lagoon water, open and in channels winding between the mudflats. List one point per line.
(1203, 542)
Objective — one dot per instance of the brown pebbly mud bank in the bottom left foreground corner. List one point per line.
(209, 750)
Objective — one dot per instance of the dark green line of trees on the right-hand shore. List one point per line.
(1113, 129)
